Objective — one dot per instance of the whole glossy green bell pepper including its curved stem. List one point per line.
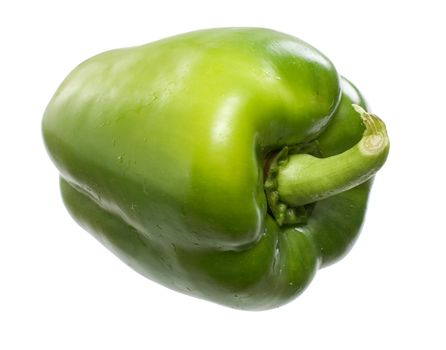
(184, 157)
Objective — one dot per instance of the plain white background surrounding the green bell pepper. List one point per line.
(60, 289)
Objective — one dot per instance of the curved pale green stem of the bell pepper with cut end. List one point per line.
(297, 180)
